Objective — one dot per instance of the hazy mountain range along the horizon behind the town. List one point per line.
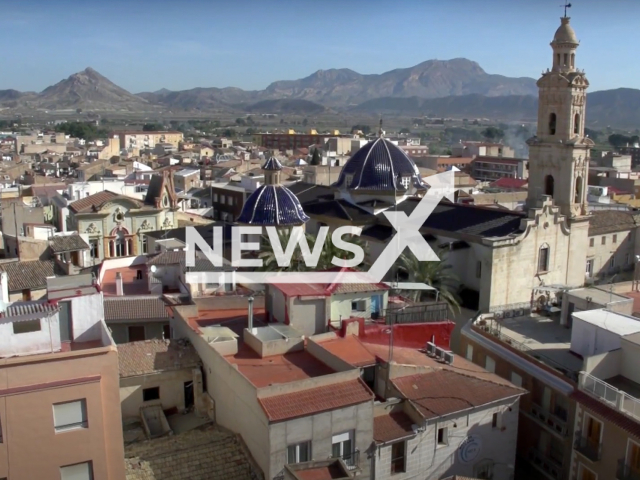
(458, 87)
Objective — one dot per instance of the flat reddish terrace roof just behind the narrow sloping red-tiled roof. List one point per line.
(290, 367)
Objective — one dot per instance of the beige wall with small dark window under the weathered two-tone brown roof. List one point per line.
(171, 391)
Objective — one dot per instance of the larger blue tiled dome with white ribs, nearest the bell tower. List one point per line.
(380, 165)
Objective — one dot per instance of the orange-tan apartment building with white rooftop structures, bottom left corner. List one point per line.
(60, 392)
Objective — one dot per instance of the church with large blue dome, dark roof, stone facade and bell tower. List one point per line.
(504, 260)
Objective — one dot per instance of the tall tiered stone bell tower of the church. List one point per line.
(559, 152)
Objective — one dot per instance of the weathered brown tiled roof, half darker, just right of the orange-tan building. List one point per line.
(150, 356)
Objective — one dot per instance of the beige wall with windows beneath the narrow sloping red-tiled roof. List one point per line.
(319, 429)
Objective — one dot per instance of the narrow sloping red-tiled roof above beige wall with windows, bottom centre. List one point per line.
(315, 400)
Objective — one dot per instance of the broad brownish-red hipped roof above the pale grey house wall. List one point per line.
(442, 392)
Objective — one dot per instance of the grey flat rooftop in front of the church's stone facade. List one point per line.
(542, 337)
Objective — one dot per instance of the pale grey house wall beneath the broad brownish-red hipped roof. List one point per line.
(427, 459)
